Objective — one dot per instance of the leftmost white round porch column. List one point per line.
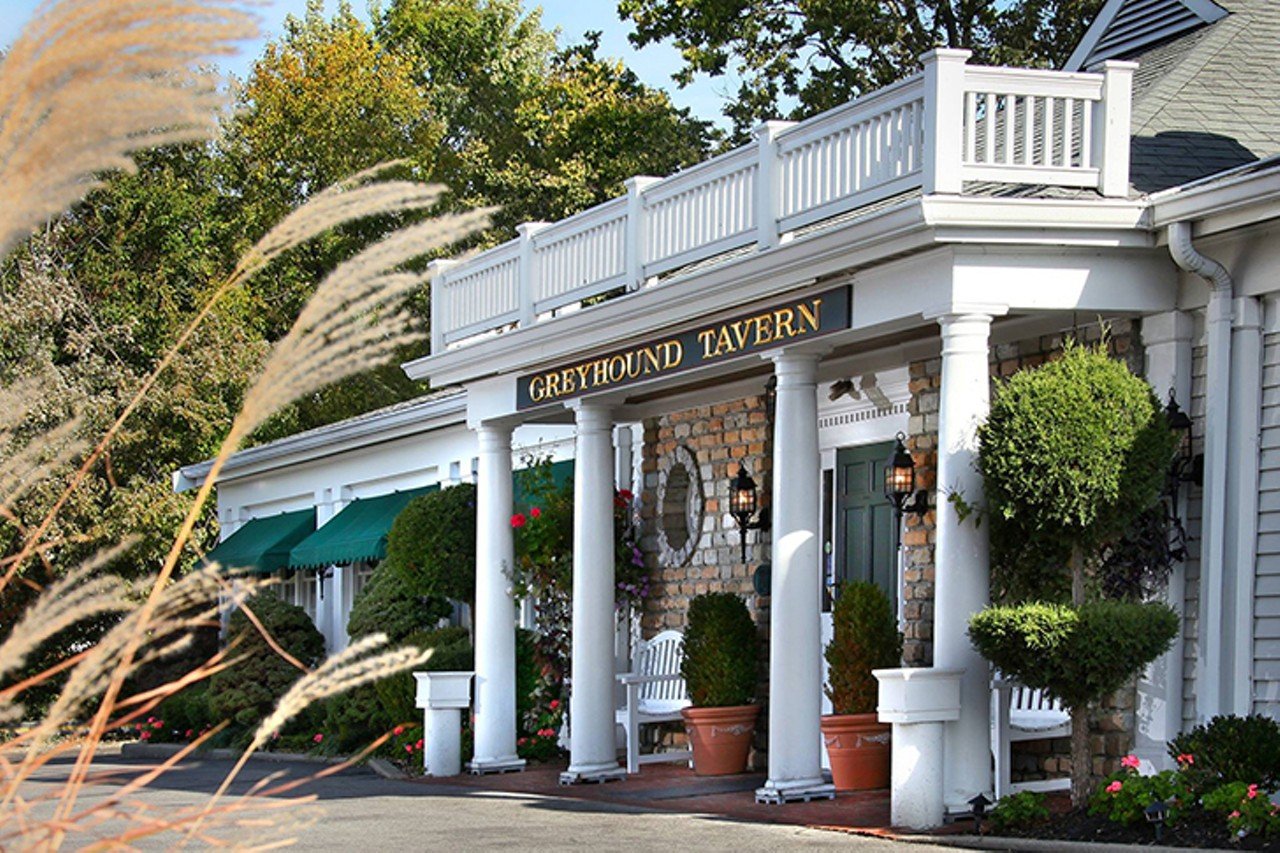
(496, 612)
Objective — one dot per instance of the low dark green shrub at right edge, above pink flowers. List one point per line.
(1231, 750)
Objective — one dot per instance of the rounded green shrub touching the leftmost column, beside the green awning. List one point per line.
(432, 545)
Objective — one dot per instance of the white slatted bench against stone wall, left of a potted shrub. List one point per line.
(655, 694)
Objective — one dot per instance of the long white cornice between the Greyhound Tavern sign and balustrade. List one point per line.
(897, 231)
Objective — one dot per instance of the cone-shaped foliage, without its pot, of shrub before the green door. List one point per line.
(865, 638)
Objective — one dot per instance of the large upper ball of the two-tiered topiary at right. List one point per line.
(1073, 453)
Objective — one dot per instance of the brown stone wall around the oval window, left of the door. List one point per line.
(721, 437)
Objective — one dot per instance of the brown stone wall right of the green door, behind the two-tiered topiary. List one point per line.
(1114, 724)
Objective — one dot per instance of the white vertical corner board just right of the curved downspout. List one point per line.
(1245, 446)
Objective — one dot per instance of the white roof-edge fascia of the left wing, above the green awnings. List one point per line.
(327, 441)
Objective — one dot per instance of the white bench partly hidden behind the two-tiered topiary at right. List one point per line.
(1021, 714)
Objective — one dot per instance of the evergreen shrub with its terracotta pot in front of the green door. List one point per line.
(866, 638)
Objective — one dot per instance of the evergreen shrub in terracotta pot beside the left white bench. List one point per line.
(721, 650)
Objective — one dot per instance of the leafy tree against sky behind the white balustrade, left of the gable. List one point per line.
(817, 54)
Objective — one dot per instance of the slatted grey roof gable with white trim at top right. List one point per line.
(1128, 28)
